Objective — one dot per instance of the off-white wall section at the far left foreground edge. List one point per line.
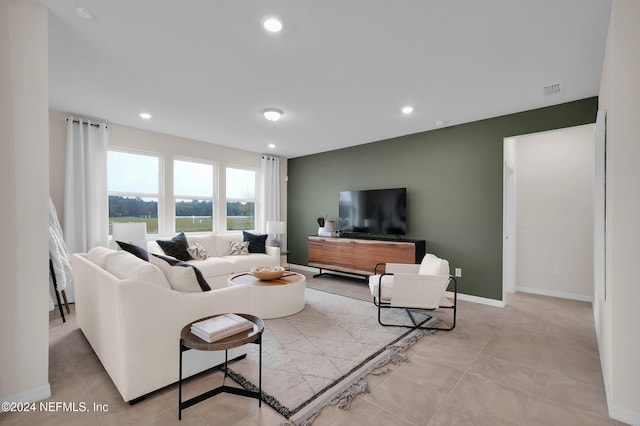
(24, 181)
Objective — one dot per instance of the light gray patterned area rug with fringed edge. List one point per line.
(321, 355)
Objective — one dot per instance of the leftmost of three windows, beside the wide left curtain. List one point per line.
(133, 182)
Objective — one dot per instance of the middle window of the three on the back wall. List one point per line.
(193, 189)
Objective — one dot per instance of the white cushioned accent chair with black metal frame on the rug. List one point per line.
(415, 288)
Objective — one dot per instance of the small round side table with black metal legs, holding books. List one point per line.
(190, 341)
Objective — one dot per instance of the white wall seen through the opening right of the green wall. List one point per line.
(554, 216)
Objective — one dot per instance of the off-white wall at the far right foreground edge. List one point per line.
(618, 316)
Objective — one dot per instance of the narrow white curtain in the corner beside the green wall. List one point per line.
(269, 191)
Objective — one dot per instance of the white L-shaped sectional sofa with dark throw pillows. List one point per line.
(132, 318)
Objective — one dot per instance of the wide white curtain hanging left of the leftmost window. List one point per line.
(86, 213)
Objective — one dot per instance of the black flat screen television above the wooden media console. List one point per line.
(373, 211)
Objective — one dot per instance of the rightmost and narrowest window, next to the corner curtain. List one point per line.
(241, 199)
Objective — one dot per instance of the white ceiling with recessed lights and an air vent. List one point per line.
(340, 70)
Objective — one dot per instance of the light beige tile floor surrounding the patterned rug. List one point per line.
(534, 362)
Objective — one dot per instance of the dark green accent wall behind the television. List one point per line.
(453, 178)
